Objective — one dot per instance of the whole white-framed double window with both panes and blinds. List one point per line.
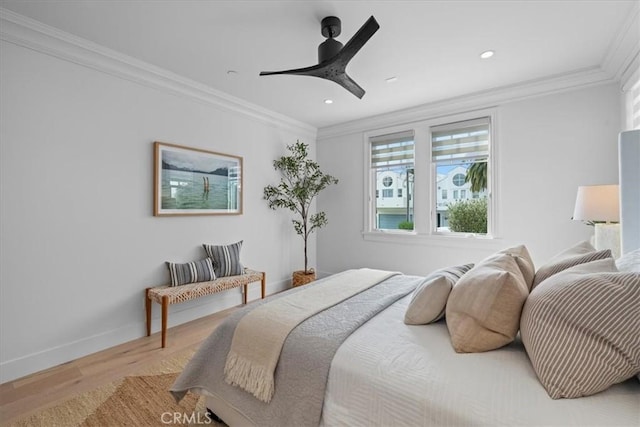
(450, 163)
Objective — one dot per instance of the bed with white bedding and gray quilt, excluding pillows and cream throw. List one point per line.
(357, 363)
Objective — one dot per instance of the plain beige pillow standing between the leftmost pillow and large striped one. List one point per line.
(483, 310)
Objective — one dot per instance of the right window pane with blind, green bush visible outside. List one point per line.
(461, 150)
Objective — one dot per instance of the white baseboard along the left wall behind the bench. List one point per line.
(178, 314)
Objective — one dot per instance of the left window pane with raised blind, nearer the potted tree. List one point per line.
(392, 162)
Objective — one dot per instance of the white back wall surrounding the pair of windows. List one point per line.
(548, 146)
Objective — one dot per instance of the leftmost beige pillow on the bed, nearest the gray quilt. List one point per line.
(430, 297)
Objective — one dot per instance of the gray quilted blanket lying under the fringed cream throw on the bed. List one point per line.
(303, 368)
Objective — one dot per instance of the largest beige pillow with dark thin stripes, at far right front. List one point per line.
(581, 329)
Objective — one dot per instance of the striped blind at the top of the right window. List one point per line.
(467, 140)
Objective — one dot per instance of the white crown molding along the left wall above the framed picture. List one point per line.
(32, 34)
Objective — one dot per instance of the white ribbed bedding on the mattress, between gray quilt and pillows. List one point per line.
(390, 374)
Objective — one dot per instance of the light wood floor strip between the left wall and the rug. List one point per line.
(47, 388)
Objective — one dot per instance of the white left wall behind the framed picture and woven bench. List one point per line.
(78, 241)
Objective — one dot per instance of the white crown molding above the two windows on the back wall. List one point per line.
(470, 102)
